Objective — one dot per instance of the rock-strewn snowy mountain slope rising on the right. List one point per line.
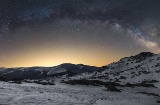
(142, 68)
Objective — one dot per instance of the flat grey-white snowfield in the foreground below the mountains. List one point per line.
(63, 94)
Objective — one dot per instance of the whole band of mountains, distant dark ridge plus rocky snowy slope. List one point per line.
(143, 68)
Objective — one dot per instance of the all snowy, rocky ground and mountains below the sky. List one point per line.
(130, 81)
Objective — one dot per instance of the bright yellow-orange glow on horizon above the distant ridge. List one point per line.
(49, 58)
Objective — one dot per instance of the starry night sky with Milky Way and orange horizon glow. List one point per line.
(91, 32)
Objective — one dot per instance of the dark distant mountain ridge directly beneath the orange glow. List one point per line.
(44, 72)
